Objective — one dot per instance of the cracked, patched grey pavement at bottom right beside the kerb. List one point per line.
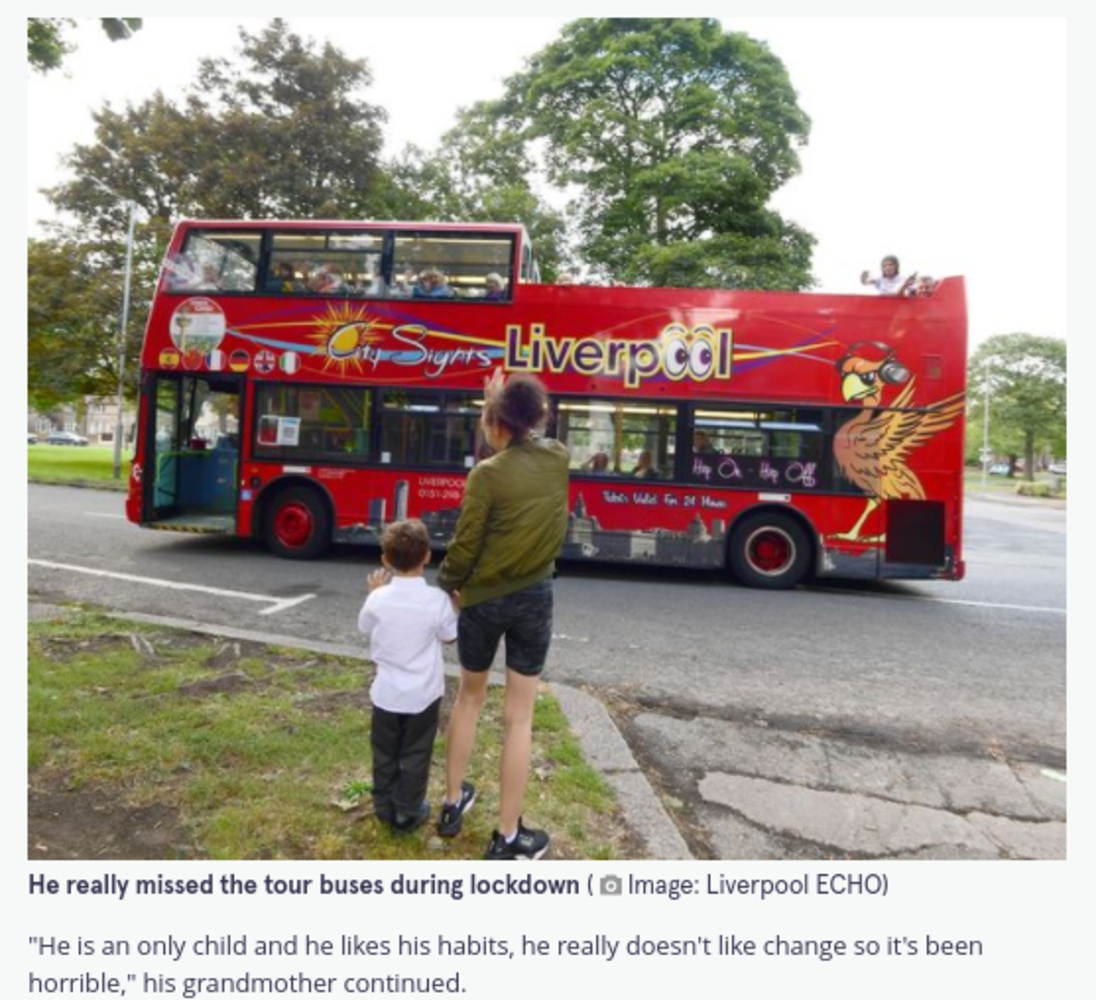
(745, 790)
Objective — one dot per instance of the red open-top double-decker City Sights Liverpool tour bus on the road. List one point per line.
(309, 383)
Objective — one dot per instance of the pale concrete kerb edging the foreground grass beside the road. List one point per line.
(602, 743)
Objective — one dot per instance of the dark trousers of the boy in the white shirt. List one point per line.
(403, 748)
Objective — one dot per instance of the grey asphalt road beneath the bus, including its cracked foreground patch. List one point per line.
(898, 721)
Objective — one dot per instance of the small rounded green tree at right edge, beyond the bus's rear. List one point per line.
(1024, 379)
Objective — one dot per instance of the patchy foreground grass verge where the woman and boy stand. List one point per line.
(147, 743)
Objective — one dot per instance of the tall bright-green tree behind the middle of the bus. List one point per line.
(675, 134)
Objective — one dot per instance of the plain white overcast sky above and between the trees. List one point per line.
(943, 142)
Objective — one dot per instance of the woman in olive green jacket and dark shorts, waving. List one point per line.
(501, 563)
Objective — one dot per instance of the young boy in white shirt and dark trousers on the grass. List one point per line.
(407, 622)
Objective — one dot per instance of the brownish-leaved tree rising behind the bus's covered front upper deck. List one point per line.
(283, 131)
